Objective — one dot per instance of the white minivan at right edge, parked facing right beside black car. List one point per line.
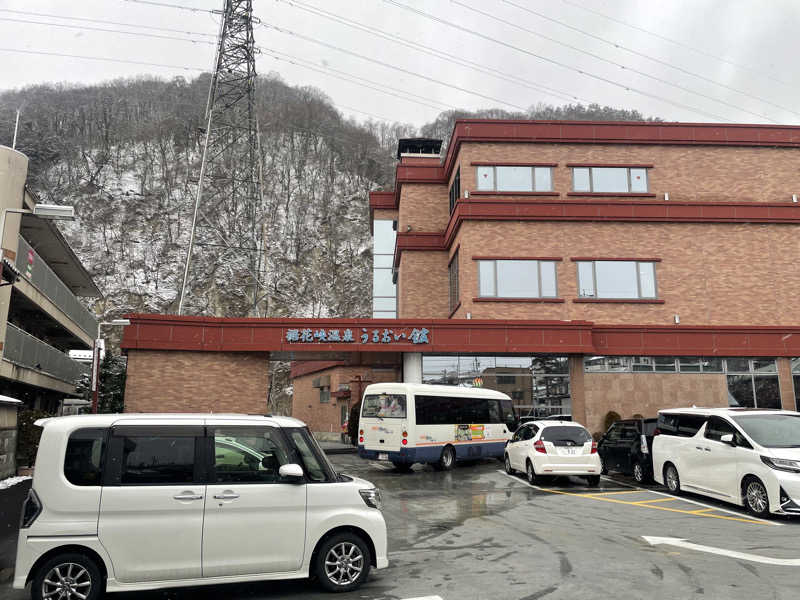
(743, 456)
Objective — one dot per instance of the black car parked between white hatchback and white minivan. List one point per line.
(626, 448)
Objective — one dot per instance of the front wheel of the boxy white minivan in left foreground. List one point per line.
(342, 562)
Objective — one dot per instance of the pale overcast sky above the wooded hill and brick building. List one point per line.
(735, 60)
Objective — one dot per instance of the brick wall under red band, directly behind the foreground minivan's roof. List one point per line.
(176, 381)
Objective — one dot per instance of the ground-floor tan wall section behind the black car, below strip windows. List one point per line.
(629, 394)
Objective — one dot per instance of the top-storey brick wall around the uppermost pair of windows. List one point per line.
(687, 173)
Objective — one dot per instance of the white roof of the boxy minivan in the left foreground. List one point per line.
(107, 420)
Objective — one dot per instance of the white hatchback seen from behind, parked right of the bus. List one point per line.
(544, 448)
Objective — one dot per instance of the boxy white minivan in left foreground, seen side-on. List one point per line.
(137, 502)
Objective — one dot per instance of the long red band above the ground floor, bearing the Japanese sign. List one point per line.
(212, 334)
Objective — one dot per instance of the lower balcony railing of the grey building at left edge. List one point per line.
(23, 349)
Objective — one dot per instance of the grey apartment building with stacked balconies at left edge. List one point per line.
(41, 315)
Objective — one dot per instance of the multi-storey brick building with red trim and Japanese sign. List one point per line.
(580, 267)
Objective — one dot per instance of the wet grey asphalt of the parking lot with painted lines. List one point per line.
(477, 533)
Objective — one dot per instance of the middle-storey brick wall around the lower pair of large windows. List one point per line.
(709, 274)
